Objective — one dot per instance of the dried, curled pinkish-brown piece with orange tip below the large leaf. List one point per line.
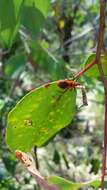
(23, 157)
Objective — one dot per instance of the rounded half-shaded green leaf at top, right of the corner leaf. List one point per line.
(34, 14)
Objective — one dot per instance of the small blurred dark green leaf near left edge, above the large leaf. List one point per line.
(14, 64)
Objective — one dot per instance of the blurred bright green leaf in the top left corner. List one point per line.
(9, 21)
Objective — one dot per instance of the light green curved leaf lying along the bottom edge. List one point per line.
(64, 184)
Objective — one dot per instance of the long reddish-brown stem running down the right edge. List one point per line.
(100, 47)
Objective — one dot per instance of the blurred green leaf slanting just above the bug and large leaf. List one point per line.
(48, 62)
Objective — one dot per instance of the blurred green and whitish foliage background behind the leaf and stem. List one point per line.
(42, 41)
